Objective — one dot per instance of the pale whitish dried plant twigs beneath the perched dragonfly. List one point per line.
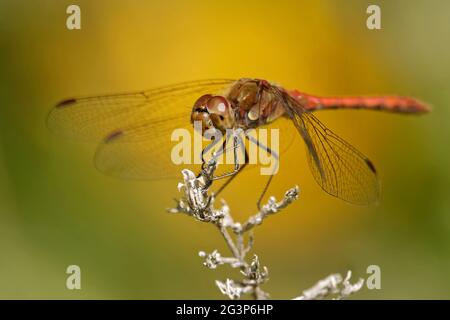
(198, 203)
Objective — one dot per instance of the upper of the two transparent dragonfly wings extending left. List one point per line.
(93, 118)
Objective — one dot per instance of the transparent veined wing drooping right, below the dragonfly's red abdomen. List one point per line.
(339, 168)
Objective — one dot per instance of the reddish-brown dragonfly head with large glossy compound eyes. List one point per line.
(213, 112)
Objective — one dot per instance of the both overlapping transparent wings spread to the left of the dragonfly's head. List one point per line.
(134, 130)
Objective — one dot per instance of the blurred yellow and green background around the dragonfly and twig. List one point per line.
(56, 209)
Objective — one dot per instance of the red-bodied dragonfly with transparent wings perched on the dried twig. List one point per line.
(133, 129)
